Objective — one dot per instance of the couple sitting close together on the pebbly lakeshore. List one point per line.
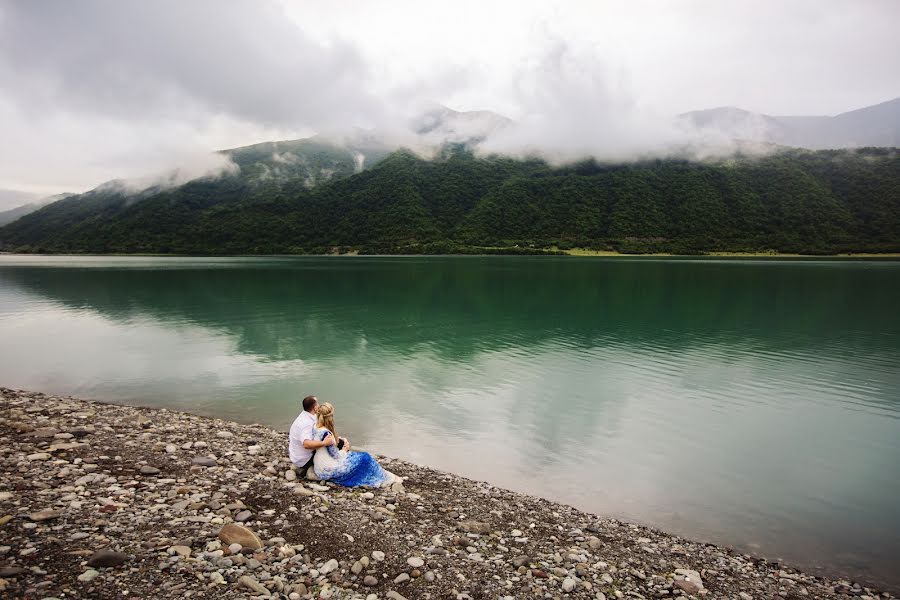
(314, 443)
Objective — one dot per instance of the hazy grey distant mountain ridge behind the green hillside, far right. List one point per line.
(872, 126)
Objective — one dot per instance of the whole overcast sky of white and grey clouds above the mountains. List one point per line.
(94, 90)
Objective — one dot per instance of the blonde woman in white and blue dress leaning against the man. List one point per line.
(337, 464)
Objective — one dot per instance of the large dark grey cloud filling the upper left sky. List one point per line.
(171, 59)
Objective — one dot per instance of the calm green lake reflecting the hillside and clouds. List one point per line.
(753, 403)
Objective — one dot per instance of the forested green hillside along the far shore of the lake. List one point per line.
(793, 201)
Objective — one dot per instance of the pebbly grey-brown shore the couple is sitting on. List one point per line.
(107, 501)
